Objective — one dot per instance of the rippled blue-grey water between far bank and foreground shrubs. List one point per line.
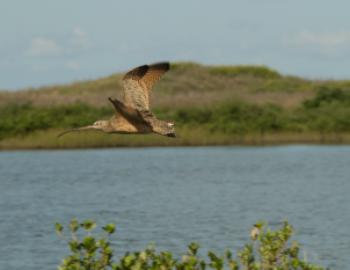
(172, 196)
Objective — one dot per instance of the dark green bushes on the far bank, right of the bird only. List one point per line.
(328, 111)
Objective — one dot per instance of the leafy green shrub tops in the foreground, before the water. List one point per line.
(267, 250)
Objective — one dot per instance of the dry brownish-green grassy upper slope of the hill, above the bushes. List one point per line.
(185, 84)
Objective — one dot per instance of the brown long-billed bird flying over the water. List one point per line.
(133, 114)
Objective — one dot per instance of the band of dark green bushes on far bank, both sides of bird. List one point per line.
(327, 112)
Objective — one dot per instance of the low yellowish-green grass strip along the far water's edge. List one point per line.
(47, 140)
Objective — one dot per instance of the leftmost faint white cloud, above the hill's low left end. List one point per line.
(42, 46)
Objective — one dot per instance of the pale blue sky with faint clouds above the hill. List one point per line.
(46, 42)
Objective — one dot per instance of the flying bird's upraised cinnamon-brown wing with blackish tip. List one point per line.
(138, 82)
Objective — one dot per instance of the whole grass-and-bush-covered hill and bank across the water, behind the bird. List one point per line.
(210, 106)
